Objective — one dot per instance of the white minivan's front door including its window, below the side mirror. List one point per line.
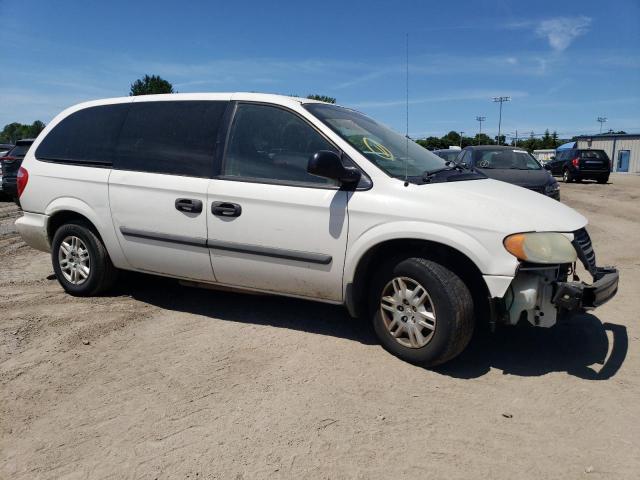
(271, 225)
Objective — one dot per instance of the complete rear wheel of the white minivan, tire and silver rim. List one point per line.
(80, 260)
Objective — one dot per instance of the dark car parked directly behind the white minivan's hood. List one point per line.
(512, 165)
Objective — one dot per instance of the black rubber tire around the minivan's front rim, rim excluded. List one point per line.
(452, 303)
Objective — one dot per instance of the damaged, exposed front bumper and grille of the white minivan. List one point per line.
(540, 293)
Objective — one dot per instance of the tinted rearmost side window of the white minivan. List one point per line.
(87, 136)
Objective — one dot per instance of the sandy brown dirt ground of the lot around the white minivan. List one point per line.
(164, 381)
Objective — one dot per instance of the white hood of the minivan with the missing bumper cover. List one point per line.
(490, 205)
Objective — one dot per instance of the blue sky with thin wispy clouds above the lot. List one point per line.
(563, 63)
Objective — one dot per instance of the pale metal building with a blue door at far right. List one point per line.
(623, 149)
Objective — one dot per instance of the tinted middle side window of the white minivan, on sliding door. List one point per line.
(170, 137)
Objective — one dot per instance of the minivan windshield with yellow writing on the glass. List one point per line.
(379, 144)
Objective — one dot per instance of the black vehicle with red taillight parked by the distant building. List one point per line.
(578, 164)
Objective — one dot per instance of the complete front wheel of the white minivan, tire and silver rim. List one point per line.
(422, 311)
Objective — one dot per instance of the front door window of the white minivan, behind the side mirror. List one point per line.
(269, 143)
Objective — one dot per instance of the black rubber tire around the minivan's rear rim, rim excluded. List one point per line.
(102, 274)
